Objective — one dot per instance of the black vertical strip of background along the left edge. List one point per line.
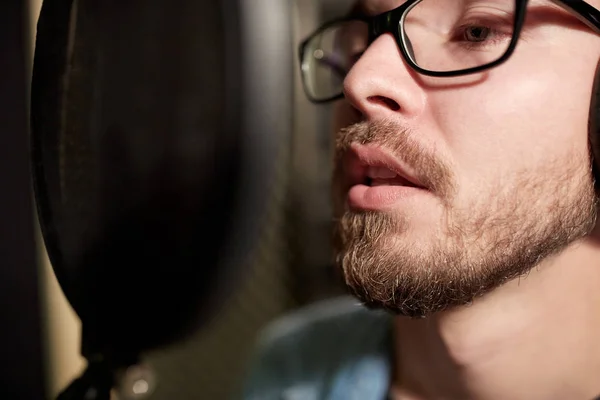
(21, 356)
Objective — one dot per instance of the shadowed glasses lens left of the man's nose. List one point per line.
(329, 55)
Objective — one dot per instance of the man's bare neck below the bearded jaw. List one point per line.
(537, 337)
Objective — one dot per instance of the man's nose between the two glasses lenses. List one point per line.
(382, 86)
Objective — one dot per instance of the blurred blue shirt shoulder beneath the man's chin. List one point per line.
(334, 350)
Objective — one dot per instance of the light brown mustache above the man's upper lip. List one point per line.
(430, 169)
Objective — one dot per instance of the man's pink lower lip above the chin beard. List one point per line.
(376, 198)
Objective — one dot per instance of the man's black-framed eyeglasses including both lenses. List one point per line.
(441, 38)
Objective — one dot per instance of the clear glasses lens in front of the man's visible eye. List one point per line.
(454, 35)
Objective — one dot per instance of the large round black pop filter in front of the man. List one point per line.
(155, 126)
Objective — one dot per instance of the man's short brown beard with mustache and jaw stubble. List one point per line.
(477, 247)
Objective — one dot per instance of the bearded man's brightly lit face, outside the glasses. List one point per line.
(445, 188)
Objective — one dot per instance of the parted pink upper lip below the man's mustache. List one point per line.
(360, 157)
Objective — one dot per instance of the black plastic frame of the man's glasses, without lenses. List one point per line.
(391, 21)
